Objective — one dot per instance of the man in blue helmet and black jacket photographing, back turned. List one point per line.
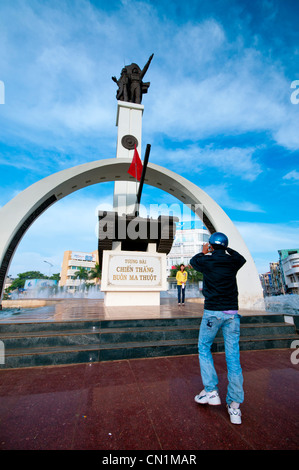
(219, 265)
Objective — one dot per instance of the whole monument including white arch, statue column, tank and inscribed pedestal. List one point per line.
(132, 249)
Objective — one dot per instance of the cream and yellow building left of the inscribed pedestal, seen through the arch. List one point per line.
(72, 260)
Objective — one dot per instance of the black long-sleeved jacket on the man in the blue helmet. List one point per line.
(219, 278)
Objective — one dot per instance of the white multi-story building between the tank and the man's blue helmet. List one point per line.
(186, 244)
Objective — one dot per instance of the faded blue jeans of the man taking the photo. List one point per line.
(230, 324)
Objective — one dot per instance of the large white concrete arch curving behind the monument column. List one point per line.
(18, 214)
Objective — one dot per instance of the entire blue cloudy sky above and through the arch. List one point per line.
(219, 110)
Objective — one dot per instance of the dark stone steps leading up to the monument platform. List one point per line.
(72, 342)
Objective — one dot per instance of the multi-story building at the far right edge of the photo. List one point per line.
(289, 266)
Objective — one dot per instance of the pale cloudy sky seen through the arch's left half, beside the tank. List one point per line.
(70, 224)
